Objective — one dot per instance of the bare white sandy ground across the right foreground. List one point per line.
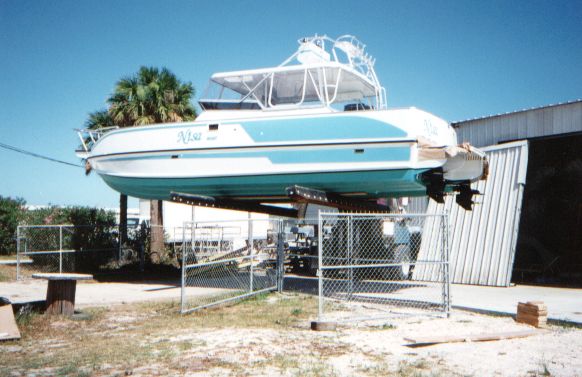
(380, 349)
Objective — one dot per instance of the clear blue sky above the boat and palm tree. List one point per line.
(457, 59)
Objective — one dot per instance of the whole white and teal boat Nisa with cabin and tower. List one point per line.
(319, 120)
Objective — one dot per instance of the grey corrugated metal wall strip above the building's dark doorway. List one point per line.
(552, 120)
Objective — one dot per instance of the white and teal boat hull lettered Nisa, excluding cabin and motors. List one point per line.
(367, 154)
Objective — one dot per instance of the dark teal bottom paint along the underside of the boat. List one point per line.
(376, 184)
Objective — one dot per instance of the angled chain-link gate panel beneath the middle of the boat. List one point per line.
(229, 260)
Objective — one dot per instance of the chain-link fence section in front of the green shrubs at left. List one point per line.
(64, 248)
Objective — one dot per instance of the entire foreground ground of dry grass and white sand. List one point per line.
(269, 335)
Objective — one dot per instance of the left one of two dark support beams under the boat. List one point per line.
(238, 205)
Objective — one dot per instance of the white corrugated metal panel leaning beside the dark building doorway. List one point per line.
(482, 242)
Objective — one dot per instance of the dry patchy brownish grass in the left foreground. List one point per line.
(104, 341)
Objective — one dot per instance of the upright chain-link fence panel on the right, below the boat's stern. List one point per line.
(368, 262)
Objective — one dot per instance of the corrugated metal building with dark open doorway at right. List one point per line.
(537, 239)
